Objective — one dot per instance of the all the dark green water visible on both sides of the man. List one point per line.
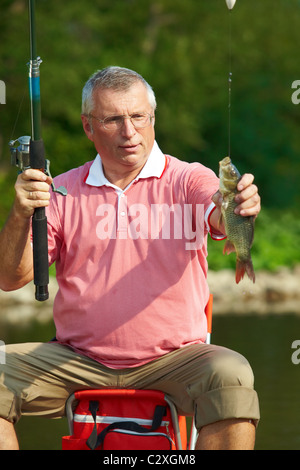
(266, 342)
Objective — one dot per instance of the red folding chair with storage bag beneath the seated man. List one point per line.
(88, 423)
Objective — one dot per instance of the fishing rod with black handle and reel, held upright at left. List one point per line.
(31, 154)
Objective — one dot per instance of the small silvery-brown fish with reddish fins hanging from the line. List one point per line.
(239, 229)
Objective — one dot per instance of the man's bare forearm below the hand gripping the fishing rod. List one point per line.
(16, 266)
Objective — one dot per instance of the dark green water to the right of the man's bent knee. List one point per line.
(266, 342)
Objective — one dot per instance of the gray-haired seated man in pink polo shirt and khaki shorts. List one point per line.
(129, 242)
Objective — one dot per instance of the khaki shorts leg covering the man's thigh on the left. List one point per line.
(37, 378)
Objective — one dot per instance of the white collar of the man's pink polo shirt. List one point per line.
(154, 167)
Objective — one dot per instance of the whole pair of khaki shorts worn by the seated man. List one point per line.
(213, 382)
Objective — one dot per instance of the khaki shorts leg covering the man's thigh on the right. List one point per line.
(212, 382)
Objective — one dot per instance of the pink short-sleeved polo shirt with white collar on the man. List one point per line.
(131, 265)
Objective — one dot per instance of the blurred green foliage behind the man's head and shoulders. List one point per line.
(183, 49)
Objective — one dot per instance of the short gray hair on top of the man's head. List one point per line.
(115, 78)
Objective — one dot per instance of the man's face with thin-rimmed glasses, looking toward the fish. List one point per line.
(125, 150)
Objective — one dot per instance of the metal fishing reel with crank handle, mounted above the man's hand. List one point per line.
(20, 157)
